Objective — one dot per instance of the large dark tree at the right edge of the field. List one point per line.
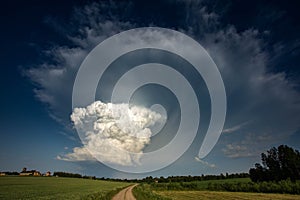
(278, 164)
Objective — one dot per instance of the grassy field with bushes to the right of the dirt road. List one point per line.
(203, 190)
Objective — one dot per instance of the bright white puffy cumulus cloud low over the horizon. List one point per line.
(112, 133)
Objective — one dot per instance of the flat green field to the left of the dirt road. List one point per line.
(15, 187)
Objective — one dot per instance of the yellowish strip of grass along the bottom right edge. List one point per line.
(208, 195)
